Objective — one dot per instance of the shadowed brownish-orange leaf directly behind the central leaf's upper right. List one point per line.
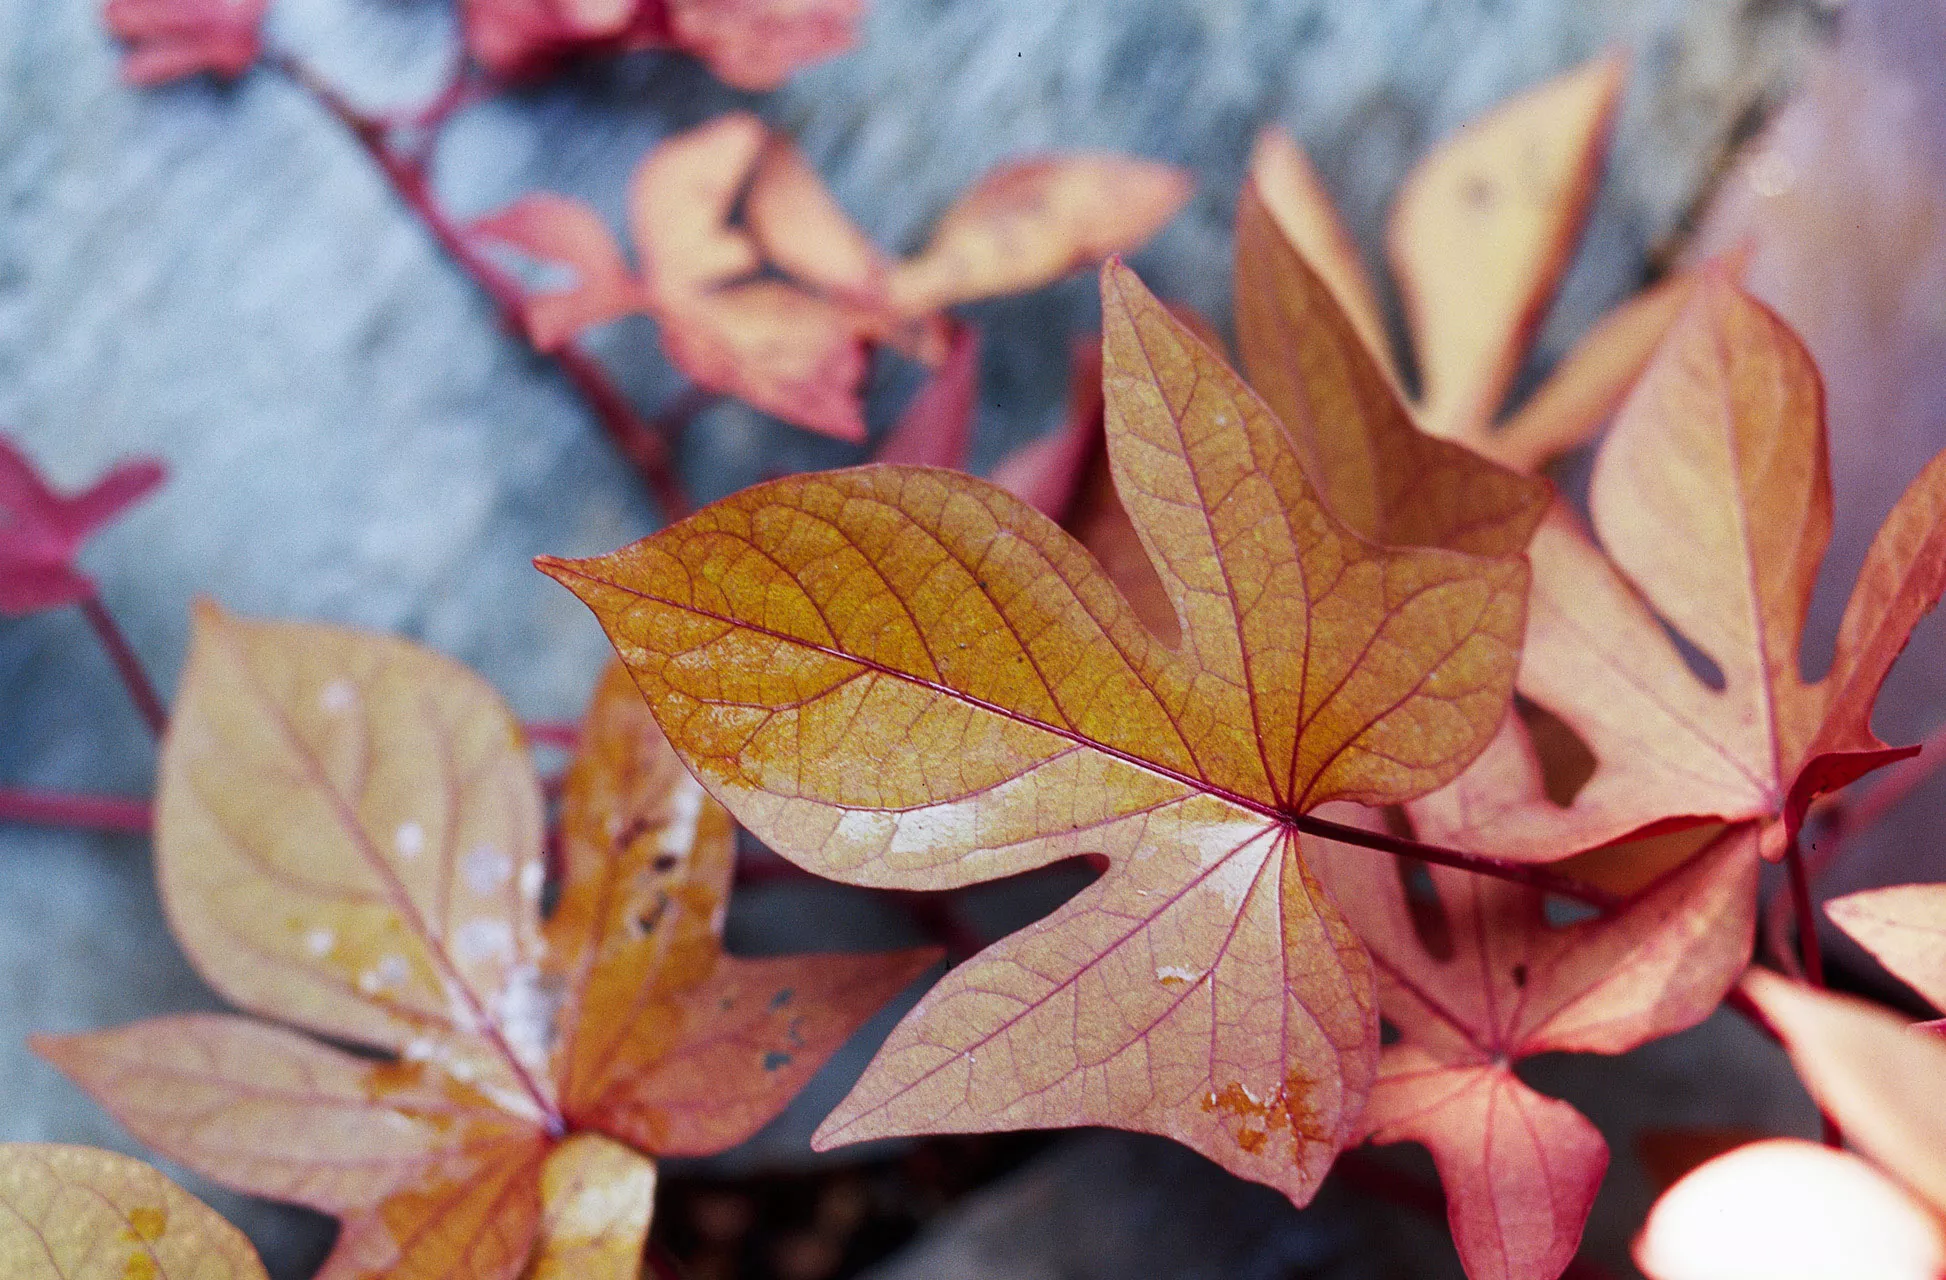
(1383, 476)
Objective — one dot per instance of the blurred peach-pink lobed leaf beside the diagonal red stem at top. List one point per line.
(721, 205)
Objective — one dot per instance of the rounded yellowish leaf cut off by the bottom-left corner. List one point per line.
(71, 1213)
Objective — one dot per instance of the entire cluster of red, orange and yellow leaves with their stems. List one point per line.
(1332, 690)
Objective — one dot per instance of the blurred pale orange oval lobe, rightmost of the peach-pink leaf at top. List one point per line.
(1032, 223)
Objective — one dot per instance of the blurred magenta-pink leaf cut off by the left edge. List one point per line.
(44, 530)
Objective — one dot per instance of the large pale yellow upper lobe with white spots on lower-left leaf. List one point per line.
(349, 837)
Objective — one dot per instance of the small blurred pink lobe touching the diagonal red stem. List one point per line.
(571, 234)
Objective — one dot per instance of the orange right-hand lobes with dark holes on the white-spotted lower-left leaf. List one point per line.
(676, 1048)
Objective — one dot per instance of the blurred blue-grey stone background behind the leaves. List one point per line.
(217, 277)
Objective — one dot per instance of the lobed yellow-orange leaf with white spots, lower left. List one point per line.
(349, 839)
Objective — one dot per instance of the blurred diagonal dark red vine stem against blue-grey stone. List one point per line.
(643, 444)
